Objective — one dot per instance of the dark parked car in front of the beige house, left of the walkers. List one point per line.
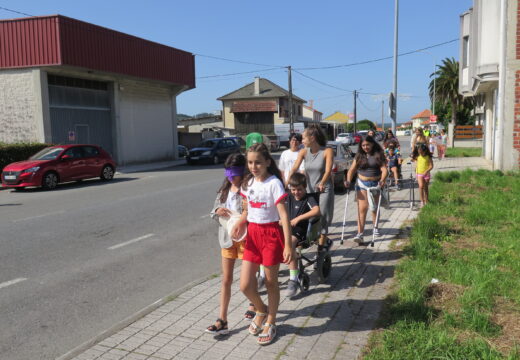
(212, 150)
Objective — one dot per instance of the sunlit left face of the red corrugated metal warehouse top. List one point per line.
(29, 42)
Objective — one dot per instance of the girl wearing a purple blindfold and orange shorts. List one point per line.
(228, 202)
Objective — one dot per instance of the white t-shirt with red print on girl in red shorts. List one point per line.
(262, 198)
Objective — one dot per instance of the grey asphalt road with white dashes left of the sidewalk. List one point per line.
(76, 260)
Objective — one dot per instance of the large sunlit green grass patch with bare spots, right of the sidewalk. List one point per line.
(468, 237)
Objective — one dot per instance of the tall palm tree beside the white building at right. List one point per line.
(447, 92)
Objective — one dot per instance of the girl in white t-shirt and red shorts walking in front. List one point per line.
(266, 244)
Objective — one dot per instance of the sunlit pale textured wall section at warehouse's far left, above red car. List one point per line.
(21, 117)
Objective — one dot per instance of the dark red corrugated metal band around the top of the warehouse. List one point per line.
(58, 40)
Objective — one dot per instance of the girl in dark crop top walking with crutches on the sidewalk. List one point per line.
(370, 167)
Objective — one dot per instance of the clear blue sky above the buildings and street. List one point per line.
(263, 37)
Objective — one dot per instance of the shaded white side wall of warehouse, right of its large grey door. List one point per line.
(144, 122)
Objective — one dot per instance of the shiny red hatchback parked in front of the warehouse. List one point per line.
(57, 164)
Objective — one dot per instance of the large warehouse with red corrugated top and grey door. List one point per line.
(67, 81)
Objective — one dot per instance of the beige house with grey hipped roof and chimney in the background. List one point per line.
(258, 106)
